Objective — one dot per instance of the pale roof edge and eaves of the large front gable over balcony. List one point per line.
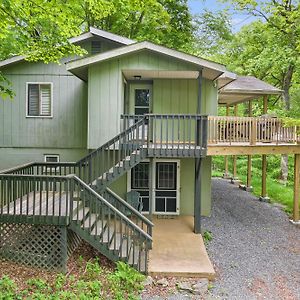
(211, 70)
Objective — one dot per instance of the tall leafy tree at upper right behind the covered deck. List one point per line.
(281, 36)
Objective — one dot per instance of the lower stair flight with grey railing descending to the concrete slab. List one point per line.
(111, 228)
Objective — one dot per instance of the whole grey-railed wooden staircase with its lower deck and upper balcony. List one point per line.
(79, 192)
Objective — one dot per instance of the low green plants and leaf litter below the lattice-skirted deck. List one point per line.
(91, 283)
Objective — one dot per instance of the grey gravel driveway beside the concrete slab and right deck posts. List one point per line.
(255, 250)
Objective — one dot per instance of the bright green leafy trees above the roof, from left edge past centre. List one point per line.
(40, 30)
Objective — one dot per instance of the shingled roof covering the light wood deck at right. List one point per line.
(245, 88)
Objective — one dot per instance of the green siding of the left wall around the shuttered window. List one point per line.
(67, 128)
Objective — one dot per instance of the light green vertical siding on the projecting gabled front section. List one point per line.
(106, 91)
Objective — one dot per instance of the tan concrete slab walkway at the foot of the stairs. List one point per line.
(177, 251)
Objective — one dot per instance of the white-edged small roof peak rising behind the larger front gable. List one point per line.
(102, 34)
